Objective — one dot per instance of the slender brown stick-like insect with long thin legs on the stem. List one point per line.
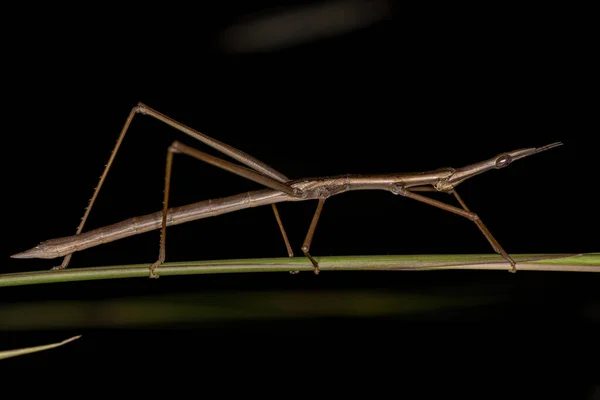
(279, 189)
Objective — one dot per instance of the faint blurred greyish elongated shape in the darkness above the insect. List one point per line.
(290, 27)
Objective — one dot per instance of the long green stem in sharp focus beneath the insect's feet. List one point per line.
(525, 262)
